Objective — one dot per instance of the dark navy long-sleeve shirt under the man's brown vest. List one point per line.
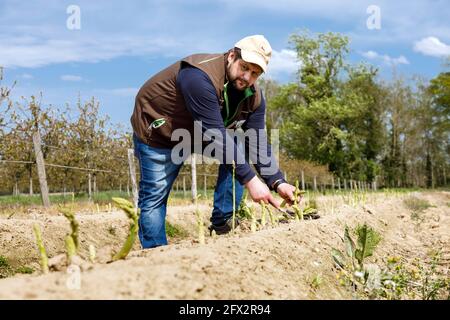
(201, 100)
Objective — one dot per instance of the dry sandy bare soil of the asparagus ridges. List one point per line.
(275, 263)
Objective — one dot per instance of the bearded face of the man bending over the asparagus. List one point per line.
(240, 73)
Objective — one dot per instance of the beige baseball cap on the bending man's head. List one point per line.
(255, 49)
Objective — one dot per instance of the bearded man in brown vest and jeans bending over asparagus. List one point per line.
(220, 91)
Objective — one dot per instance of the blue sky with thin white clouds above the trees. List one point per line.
(121, 44)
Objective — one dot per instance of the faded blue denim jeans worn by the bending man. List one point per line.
(158, 174)
